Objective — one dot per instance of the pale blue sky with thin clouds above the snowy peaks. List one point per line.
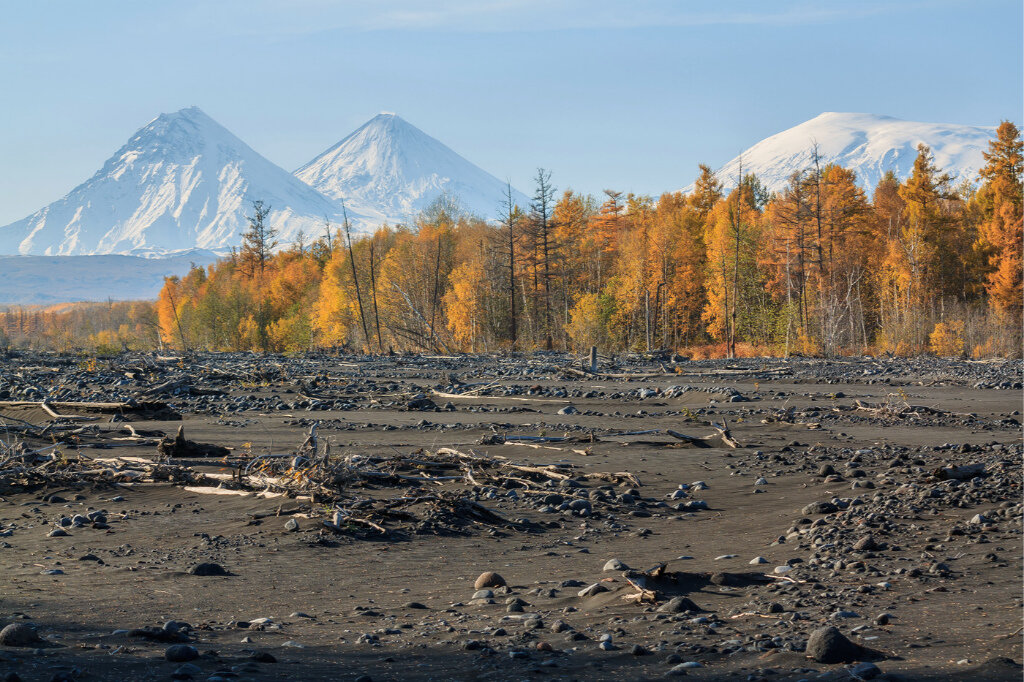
(624, 96)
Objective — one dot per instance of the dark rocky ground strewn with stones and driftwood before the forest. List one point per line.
(487, 518)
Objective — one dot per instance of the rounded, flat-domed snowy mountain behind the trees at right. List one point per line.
(868, 144)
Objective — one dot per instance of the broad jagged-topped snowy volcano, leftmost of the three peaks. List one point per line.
(183, 182)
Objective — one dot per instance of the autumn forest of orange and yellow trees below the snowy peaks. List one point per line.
(821, 269)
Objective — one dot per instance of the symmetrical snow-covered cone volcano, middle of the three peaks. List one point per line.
(391, 170)
